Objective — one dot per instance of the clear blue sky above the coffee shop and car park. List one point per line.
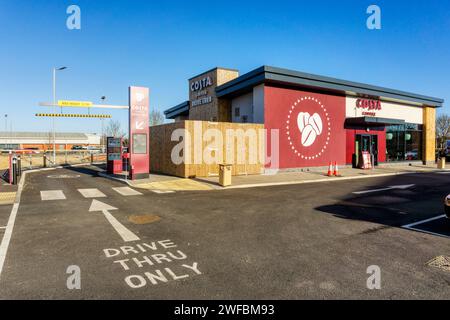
(161, 44)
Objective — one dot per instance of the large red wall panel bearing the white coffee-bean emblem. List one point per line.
(311, 126)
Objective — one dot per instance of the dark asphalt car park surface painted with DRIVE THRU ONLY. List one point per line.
(285, 242)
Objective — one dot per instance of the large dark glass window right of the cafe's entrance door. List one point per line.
(403, 142)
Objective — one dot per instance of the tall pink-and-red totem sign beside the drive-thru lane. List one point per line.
(138, 134)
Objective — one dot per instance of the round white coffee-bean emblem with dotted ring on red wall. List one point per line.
(308, 128)
